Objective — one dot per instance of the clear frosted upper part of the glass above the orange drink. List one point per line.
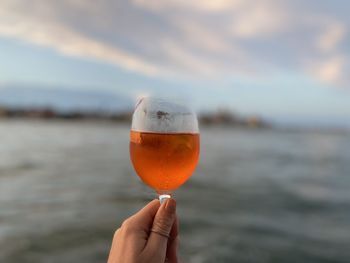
(163, 116)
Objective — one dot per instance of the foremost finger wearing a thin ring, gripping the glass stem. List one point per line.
(162, 224)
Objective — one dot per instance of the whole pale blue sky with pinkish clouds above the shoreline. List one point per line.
(287, 60)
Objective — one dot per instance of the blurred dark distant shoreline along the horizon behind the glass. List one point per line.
(220, 119)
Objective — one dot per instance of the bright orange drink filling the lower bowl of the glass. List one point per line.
(164, 161)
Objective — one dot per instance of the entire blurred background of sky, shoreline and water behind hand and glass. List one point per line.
(269, 80)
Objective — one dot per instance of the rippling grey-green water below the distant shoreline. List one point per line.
(257, 195)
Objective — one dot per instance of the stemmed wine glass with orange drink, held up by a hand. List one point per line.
(164, 144)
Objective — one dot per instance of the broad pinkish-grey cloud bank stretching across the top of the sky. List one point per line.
(199, 39)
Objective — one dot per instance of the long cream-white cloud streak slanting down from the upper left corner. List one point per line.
(67, 41)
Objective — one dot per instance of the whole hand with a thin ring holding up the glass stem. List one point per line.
(148, 236)
